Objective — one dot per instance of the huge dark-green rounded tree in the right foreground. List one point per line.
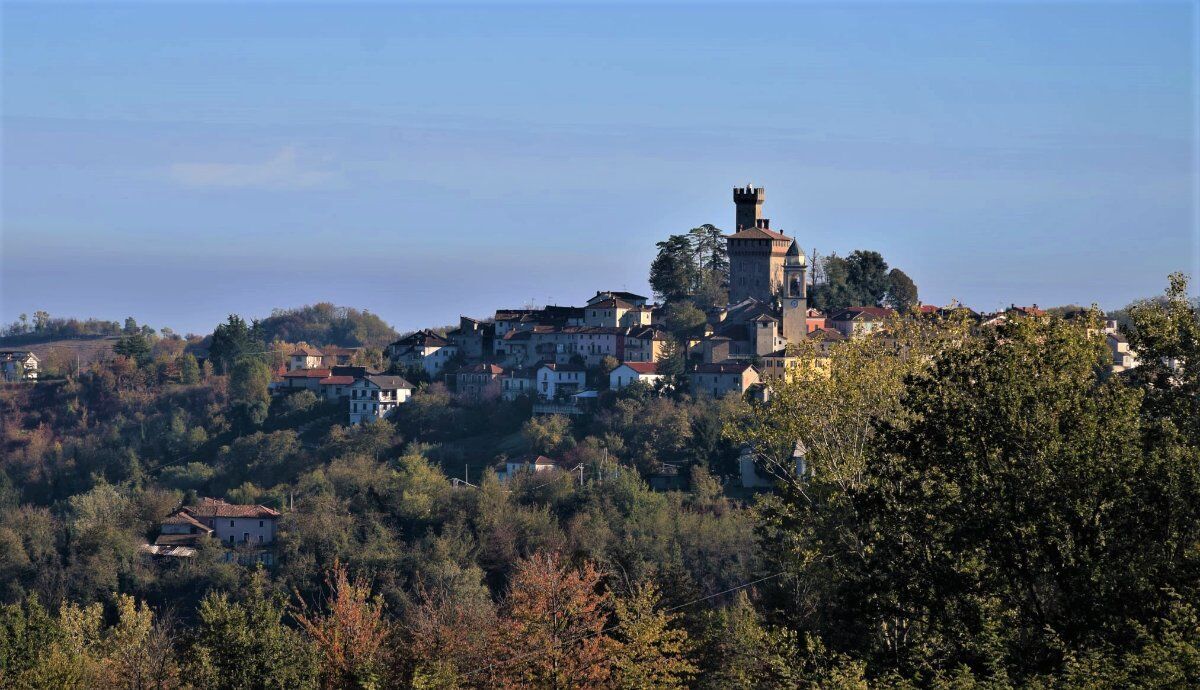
(1015, 511)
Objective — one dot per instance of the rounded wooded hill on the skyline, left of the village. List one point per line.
(325, 325)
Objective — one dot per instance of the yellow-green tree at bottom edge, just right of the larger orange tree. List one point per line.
(653, 653)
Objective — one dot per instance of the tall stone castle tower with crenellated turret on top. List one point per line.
(757, 253)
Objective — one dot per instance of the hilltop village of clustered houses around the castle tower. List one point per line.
(563, 356)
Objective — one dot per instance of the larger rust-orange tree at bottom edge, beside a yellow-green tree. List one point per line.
(553, 631)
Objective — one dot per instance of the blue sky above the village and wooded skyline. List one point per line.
(181, 163)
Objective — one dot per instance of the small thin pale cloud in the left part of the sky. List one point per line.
(284, 171)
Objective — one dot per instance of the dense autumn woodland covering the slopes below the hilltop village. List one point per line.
(981, 508)
